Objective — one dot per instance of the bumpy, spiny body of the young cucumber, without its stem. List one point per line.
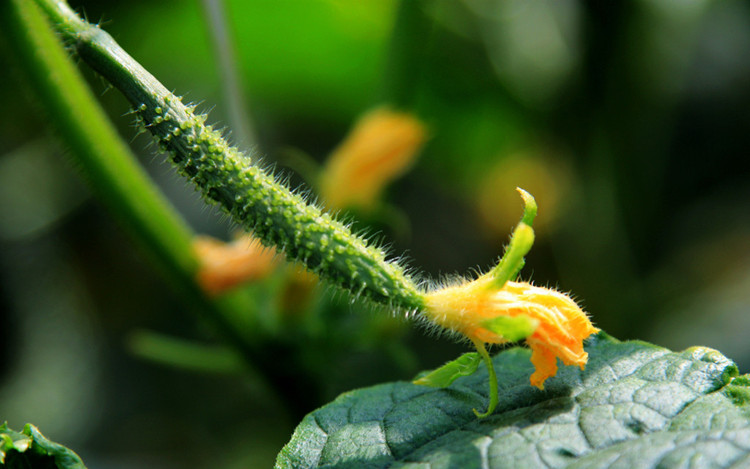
(271, 211)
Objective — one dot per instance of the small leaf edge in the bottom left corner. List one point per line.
(29, 449)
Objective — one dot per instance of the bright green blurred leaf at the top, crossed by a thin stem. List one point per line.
(313, 53)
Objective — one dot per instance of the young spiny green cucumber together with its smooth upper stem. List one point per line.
(225, 175)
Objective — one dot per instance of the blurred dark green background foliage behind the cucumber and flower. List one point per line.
(626, 119)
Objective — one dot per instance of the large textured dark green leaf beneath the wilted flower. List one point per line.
(635, 406)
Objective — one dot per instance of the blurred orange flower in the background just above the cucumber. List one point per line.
(380, 147)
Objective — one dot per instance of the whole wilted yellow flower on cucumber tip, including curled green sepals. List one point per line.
(496, 309)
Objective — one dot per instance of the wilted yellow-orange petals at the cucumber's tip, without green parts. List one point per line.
(559, 325)
